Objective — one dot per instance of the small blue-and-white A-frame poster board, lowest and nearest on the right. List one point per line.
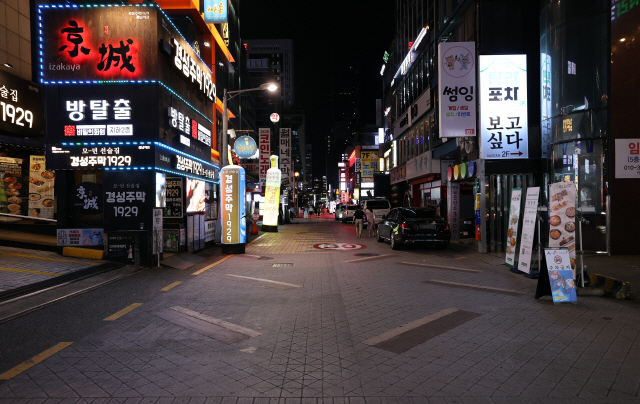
(563, 287)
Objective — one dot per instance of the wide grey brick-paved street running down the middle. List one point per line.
(311, 346)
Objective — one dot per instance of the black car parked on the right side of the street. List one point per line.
(407, 226)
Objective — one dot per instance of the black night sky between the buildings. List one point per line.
(323, 32)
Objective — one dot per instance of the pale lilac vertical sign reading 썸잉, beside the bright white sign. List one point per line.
(457, 89)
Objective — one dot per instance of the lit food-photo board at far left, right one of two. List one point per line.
(41, 184)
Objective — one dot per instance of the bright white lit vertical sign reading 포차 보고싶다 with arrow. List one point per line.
(503, 97)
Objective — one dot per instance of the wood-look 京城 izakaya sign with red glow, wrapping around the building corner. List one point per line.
(86, 44)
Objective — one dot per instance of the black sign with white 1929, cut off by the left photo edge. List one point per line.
(21, 108)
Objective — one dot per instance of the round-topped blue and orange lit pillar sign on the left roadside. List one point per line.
(232, 208)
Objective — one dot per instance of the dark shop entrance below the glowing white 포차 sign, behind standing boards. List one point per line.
(500, 187)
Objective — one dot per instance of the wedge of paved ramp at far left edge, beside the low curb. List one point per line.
(21, 267)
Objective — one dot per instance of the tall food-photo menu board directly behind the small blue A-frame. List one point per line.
(562, 217)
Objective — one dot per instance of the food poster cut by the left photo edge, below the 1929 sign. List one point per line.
(13, 197)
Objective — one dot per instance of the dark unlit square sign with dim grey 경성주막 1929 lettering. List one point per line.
(128, 200)
